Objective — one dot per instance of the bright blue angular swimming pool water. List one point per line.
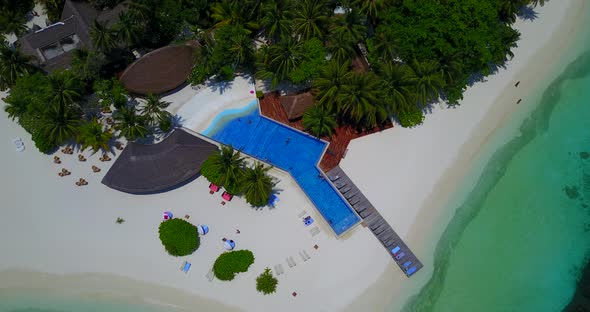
(291, 151)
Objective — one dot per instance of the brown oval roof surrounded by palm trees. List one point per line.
(159, 71)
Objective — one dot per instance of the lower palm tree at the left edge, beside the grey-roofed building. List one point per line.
(13, 64)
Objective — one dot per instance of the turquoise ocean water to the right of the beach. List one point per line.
(522, 234)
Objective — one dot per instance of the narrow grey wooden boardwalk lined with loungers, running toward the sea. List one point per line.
(373, 219)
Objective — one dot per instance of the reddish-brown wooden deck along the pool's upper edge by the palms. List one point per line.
(270, 107)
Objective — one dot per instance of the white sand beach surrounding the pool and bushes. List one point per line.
(61, 236)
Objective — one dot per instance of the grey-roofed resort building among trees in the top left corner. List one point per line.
(52, 47)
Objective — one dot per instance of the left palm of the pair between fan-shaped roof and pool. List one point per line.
(224, 168)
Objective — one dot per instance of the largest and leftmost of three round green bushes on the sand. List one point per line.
(179, 237)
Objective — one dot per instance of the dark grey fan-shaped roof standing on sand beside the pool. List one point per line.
(155, 168)
